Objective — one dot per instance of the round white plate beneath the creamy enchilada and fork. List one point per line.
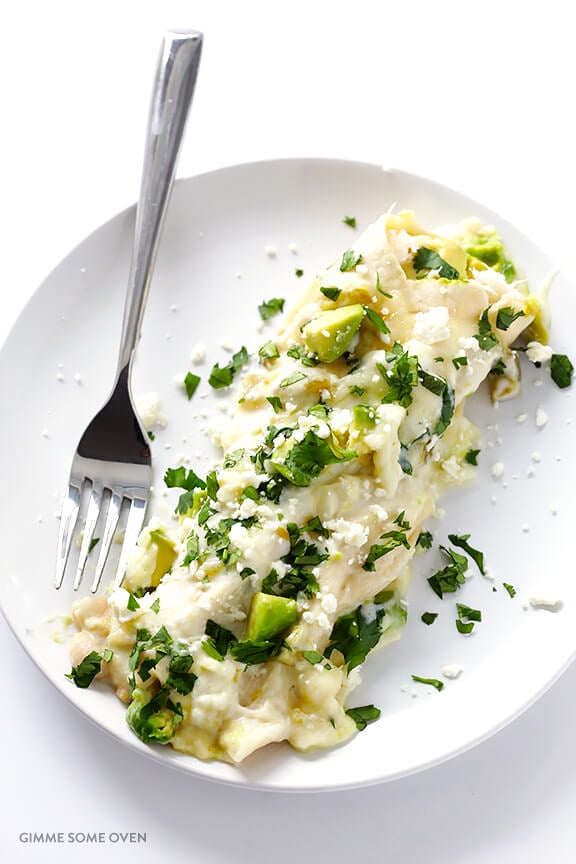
(212, 272)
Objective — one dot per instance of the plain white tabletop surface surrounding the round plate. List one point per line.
(480, 98)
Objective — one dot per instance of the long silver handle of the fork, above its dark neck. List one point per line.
(171, 97)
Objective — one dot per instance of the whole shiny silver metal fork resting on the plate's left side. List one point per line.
(113, 462)
